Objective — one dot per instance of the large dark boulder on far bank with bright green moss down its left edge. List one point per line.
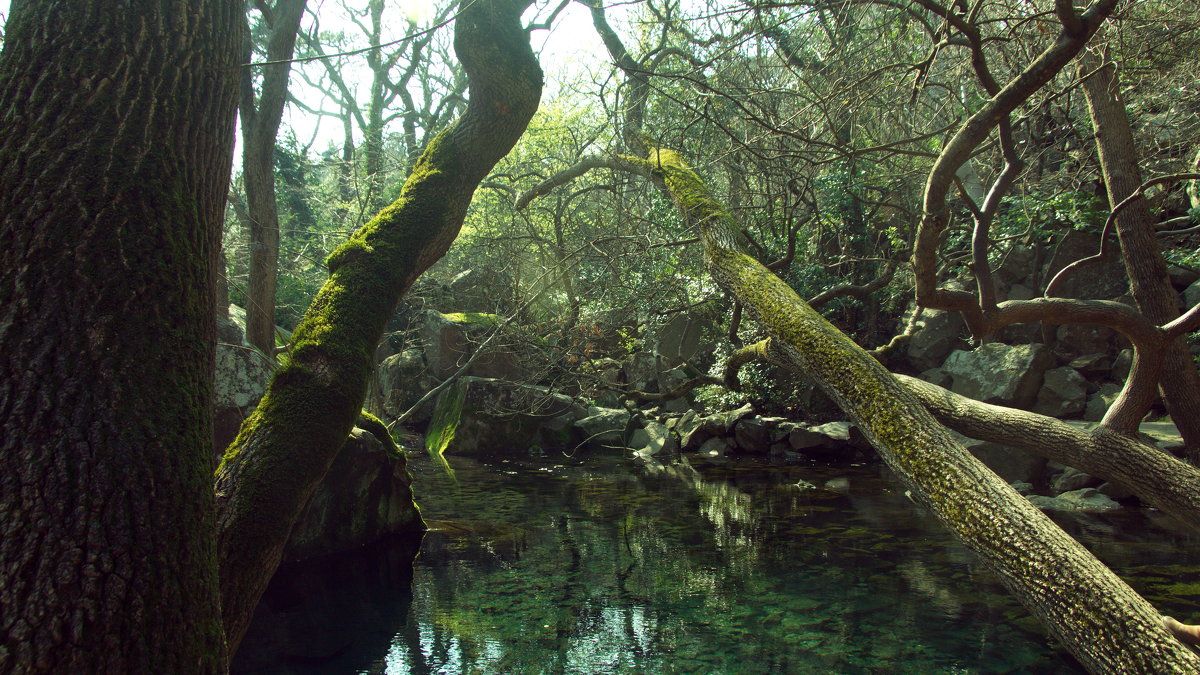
(502, 416)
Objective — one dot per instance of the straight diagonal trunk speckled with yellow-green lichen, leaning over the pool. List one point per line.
(1101, 620)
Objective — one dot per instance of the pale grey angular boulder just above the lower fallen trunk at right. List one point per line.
(1000, 374)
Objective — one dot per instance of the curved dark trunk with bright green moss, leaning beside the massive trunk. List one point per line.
(287, 445)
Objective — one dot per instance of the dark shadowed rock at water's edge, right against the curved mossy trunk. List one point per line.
(364, 498)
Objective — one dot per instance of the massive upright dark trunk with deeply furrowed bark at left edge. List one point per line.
(115, 164)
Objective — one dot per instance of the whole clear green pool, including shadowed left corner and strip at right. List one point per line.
(561, 565)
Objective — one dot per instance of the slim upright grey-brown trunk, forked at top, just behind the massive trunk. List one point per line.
(260, 129)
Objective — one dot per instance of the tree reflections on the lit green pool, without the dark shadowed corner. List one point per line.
(693, 571)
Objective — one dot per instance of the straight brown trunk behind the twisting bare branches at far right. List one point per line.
(1149, 282)
